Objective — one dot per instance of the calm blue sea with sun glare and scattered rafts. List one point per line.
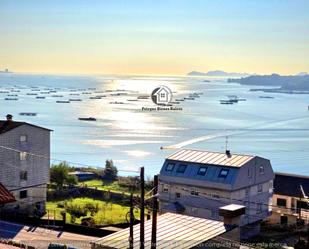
(133, 133)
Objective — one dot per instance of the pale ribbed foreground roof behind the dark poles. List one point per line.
(173, 231)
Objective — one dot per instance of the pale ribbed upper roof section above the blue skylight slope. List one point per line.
(207, 157)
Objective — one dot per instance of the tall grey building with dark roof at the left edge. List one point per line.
(24, 165)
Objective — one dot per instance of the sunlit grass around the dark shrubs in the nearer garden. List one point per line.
(109, 213)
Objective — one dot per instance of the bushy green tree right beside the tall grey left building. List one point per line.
(59, 174)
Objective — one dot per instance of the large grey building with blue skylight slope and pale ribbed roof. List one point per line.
(198, 183)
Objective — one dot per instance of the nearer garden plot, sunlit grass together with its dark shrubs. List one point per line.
(100, 212)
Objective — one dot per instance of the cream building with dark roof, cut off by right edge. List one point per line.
(290, 199)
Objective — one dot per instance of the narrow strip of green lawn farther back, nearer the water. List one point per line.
(112, 186)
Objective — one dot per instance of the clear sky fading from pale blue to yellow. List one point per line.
(154, 37)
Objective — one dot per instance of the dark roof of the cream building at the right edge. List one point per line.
(289, 184)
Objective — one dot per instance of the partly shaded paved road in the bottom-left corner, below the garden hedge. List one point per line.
(41, 237)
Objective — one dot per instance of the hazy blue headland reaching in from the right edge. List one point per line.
(284, 84)
